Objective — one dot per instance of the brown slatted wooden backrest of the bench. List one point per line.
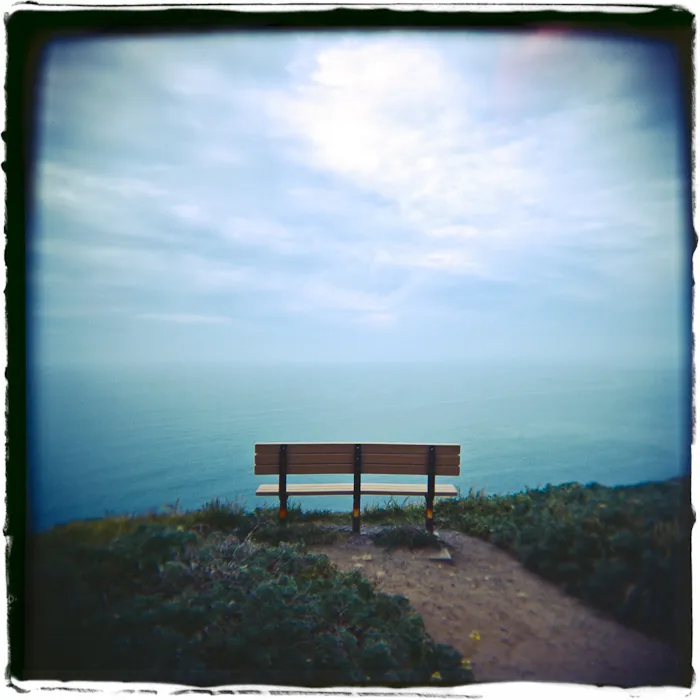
(339, 458)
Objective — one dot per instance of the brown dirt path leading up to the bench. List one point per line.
(528, 629)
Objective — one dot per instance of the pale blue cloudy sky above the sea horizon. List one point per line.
(384, 196)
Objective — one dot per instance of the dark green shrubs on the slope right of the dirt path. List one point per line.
(625, 550)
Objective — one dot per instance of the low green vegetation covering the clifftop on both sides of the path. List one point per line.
(226, 596)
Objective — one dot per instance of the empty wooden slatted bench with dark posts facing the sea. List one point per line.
(357, 459)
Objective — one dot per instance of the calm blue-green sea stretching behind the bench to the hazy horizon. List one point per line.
(129, 439)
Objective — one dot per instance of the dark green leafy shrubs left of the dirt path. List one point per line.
(164, 604)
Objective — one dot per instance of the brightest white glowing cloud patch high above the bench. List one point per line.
(393, 117)
